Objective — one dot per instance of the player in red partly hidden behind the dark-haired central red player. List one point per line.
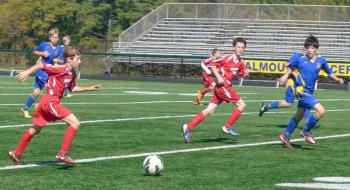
(207, 77)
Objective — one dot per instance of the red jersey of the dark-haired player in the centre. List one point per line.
(228, 68)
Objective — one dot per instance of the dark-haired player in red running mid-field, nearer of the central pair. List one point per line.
(224, 70)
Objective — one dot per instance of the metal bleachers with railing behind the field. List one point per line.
(273, 32)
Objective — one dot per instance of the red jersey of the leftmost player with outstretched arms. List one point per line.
(59, 79)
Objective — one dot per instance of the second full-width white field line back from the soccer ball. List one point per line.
(156, 117)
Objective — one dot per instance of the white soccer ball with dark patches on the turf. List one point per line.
(153, 165)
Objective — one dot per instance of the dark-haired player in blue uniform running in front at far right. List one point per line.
(309, 67)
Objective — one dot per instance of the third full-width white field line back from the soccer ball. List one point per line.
(175, 101)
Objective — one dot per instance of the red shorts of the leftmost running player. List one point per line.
(49, 111)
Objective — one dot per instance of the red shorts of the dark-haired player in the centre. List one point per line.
(226, 94)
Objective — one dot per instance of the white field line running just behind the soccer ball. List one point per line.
(88, 160)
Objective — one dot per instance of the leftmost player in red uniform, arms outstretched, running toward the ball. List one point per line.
(49, 108)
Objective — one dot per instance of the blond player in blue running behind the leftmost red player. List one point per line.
(49, 53)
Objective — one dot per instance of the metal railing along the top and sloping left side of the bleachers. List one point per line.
(225, 11)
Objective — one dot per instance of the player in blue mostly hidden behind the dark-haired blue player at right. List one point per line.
(290, 92)
